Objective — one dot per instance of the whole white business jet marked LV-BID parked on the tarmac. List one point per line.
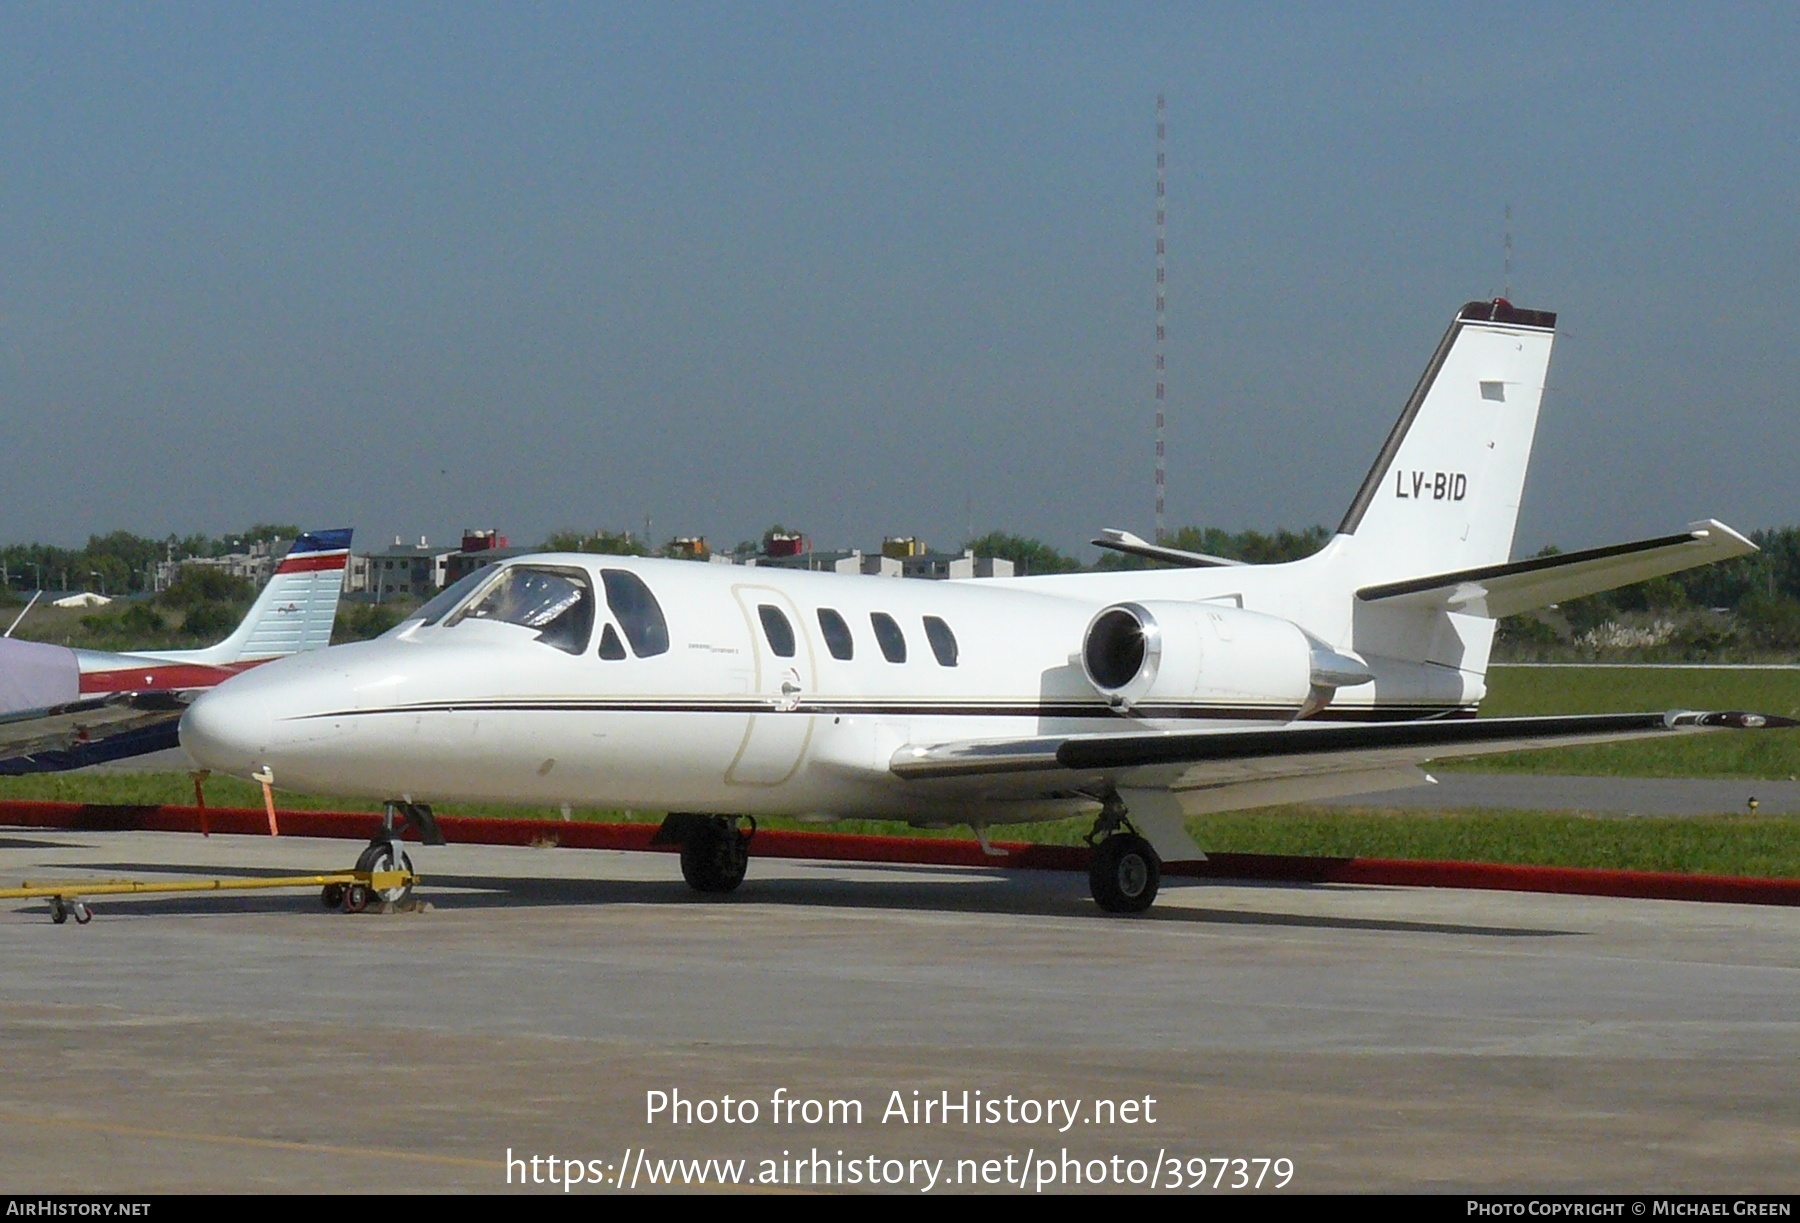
(1137, 698)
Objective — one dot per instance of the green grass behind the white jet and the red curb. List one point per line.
(1734, 846)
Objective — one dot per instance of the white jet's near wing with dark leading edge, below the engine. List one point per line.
(1243, 768)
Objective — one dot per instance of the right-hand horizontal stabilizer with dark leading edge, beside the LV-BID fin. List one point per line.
(1520, 586)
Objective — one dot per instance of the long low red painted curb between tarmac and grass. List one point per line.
(928, 853)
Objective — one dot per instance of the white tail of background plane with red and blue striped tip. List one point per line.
(294, 611)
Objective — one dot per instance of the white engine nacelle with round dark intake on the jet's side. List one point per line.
(1165, 658)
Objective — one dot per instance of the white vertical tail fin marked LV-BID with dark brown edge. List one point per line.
(1444, 493)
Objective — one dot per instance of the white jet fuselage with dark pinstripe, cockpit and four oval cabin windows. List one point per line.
(737, 689)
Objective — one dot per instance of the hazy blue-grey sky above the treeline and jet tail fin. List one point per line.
(874, 269)
